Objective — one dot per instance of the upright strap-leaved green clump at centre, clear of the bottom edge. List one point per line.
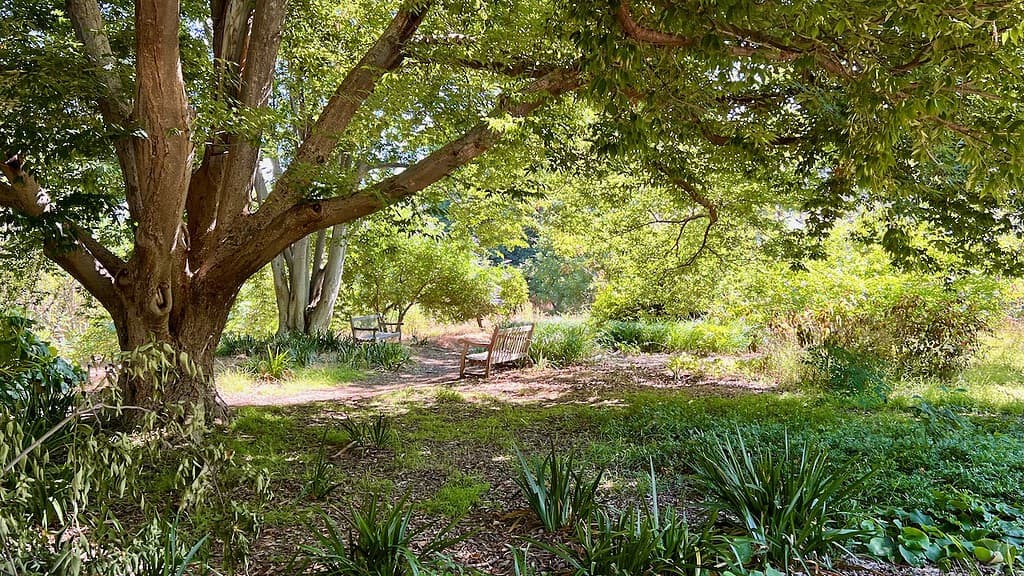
(557, 491)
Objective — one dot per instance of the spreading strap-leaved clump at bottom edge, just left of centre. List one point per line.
(379, 544)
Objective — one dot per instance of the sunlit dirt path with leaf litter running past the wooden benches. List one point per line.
(438, 365)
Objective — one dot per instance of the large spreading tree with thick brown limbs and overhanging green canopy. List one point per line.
(154, 119)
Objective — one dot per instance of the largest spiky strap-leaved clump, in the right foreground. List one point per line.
(792, 505)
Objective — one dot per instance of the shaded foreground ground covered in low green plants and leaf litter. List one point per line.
(911, 482)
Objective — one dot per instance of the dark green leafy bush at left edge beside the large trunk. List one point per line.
(36, 386)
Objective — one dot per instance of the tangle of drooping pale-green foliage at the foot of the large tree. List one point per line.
(72, 493)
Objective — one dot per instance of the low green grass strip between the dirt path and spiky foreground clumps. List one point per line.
(930, 442)
